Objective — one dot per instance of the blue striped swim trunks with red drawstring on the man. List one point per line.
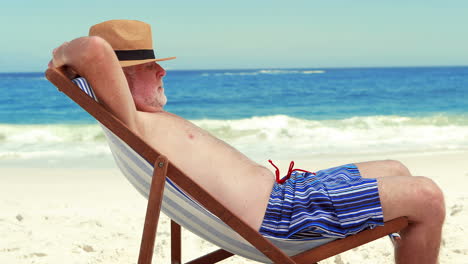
(335, 202)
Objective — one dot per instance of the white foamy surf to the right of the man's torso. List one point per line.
(283, 135)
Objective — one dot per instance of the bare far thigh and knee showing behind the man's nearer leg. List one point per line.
(382, 168)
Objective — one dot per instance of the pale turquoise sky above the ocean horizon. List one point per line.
(251, 34)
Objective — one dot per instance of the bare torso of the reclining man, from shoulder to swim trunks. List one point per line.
(240, 183)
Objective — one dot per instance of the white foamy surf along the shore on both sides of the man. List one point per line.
(277, 136)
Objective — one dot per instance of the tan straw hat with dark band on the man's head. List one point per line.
(130, 39)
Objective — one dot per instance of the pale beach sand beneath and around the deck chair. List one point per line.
(93, 215)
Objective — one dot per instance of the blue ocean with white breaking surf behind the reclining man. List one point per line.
(265, 113)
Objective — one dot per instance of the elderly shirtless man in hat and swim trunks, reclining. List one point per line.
(119, 62)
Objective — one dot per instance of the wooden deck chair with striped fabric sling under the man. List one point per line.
(189, 205)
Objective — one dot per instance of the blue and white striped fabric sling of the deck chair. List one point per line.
(187, 212)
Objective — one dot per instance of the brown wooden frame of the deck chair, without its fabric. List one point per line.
(163, 168)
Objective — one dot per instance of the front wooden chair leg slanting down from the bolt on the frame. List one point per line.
(152, 211)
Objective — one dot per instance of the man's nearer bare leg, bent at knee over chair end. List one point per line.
(420, 200)
